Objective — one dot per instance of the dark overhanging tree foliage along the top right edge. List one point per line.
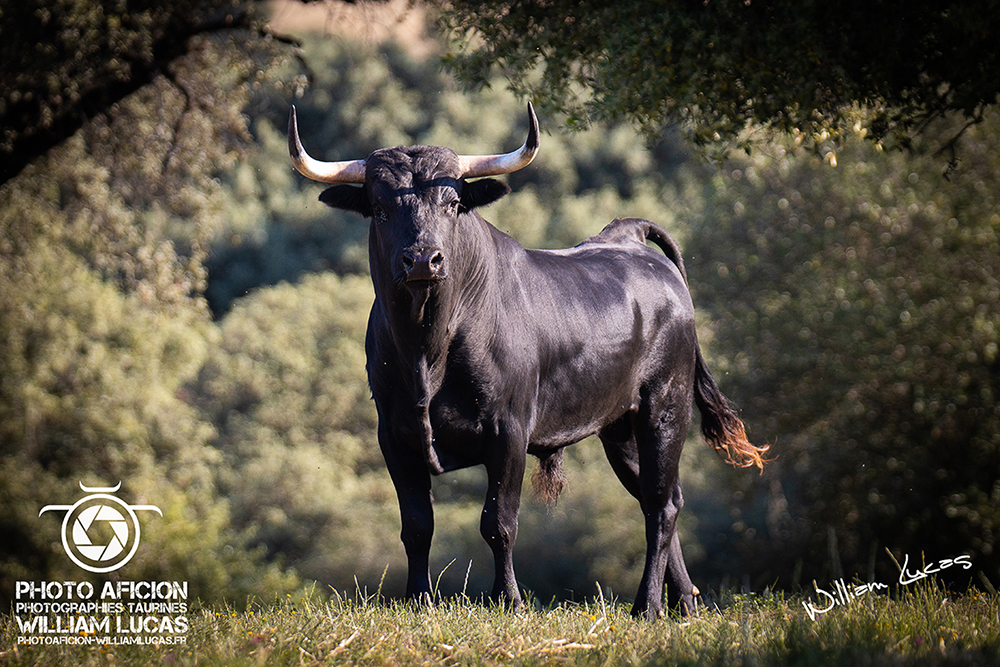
(722, 68)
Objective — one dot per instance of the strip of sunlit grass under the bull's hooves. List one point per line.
(917, 625)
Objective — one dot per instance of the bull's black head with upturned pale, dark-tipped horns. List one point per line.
(415, 197)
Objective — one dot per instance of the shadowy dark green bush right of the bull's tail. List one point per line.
(859, 311)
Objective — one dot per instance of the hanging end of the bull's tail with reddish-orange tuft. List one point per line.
(721, 426)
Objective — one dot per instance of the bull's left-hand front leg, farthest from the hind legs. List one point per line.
(413, 490)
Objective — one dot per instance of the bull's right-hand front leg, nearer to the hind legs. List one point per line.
(505, 471)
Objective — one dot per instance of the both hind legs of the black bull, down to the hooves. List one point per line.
(650, 474)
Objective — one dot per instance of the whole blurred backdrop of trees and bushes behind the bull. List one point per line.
(180, 313)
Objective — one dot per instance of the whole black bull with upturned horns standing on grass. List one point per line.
(481, 352)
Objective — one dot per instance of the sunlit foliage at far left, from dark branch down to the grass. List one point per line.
(102, 325)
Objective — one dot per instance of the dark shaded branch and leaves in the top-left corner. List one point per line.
(66, 62)
